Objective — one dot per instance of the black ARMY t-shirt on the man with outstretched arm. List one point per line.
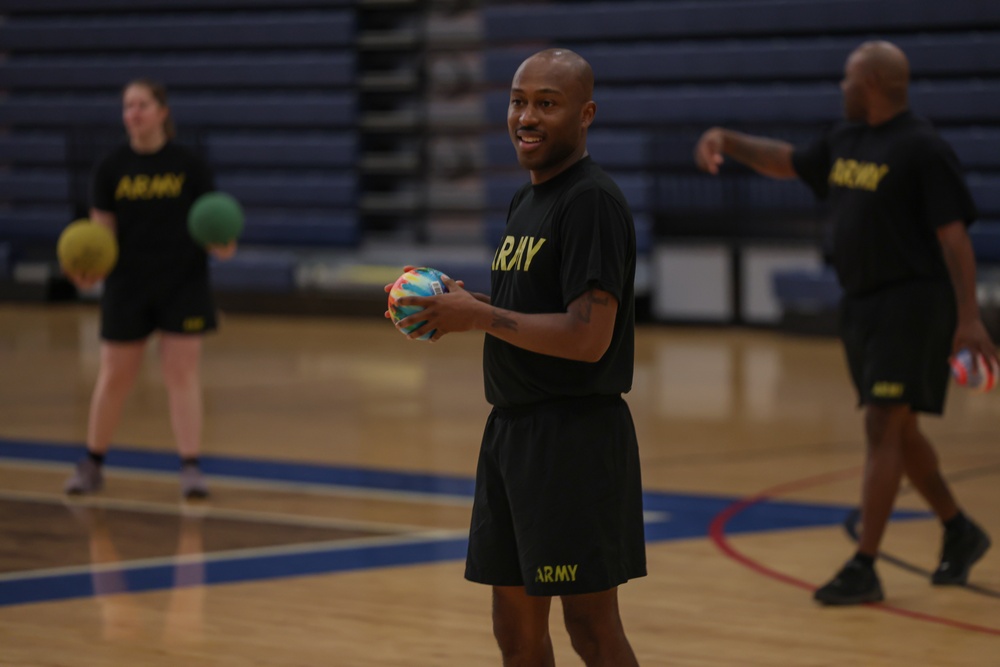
(890, 188)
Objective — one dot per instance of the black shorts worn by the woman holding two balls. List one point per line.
(133, 309)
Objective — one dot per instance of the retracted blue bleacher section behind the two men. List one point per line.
(666, 71)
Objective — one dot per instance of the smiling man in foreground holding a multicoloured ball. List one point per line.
(558, 502)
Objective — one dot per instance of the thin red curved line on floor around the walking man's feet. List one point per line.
(717, 531)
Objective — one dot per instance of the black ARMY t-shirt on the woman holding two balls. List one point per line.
(150, 195)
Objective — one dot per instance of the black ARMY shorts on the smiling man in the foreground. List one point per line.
(558, 505)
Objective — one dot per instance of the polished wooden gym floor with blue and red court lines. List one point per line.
(342, 455)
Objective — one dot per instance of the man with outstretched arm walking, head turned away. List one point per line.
(904, 259)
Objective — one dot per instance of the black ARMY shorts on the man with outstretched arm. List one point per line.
(898, 341)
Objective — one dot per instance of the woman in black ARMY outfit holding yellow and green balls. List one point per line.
(142, 191)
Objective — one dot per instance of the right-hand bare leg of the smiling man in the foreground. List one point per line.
(595, 627)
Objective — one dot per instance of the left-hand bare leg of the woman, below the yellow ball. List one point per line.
(120, 363)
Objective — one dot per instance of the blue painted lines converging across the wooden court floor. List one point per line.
(688, 516)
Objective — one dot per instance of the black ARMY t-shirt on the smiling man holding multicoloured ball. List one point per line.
(564, 237)
